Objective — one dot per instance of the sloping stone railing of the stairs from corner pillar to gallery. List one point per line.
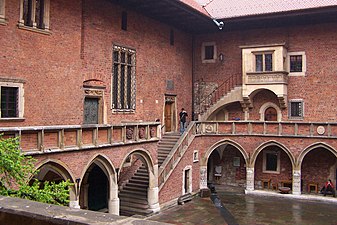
(176, 154)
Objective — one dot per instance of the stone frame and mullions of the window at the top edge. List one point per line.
(46, 18)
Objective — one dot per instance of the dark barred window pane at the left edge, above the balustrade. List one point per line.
(9, 102)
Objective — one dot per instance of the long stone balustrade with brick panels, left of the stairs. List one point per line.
(47, 139)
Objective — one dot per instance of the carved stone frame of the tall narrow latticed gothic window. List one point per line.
(116, 81)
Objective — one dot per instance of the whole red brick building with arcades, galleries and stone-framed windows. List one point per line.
(93, 88)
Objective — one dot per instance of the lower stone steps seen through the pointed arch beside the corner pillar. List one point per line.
(133, 196)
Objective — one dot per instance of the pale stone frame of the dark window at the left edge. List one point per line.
(17, 83)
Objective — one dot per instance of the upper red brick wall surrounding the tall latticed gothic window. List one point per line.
(55, 66)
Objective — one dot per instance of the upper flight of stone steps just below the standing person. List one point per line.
(165, 146)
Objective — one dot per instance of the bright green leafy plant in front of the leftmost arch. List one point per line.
(16, 172)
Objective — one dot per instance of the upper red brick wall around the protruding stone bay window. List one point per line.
(316, 88)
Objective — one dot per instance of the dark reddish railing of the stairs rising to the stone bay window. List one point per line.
(217, 93)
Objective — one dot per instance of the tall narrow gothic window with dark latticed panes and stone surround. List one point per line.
(123, 79)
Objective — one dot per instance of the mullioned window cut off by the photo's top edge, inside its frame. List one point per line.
(35, 14)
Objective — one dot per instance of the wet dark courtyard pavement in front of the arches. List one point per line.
(254, 208)
